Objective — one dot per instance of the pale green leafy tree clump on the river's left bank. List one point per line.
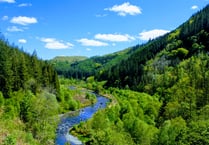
(42, 118)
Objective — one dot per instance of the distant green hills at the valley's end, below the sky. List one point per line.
(83, 67)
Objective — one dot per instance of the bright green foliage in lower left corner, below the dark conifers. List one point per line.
(38, 116)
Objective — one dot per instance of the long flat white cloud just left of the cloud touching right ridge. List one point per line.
(114, 37)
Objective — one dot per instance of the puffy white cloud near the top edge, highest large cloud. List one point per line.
(125, 9)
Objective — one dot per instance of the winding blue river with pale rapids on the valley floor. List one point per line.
(67, 122)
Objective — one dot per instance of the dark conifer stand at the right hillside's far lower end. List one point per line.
(128, 72)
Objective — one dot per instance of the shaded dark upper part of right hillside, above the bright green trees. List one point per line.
(187, 40)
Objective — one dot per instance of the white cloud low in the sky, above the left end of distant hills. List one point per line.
(52, 43)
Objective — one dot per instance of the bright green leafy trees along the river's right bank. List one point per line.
(124, 123)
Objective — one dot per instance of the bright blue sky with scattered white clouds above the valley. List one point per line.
(89, 27)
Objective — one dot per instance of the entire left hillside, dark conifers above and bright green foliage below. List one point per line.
(29, 95)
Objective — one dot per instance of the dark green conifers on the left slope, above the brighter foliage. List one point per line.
(20, 70)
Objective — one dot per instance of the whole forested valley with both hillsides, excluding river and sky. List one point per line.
(158, 91)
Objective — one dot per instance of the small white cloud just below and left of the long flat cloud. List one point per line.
(90, 42)
